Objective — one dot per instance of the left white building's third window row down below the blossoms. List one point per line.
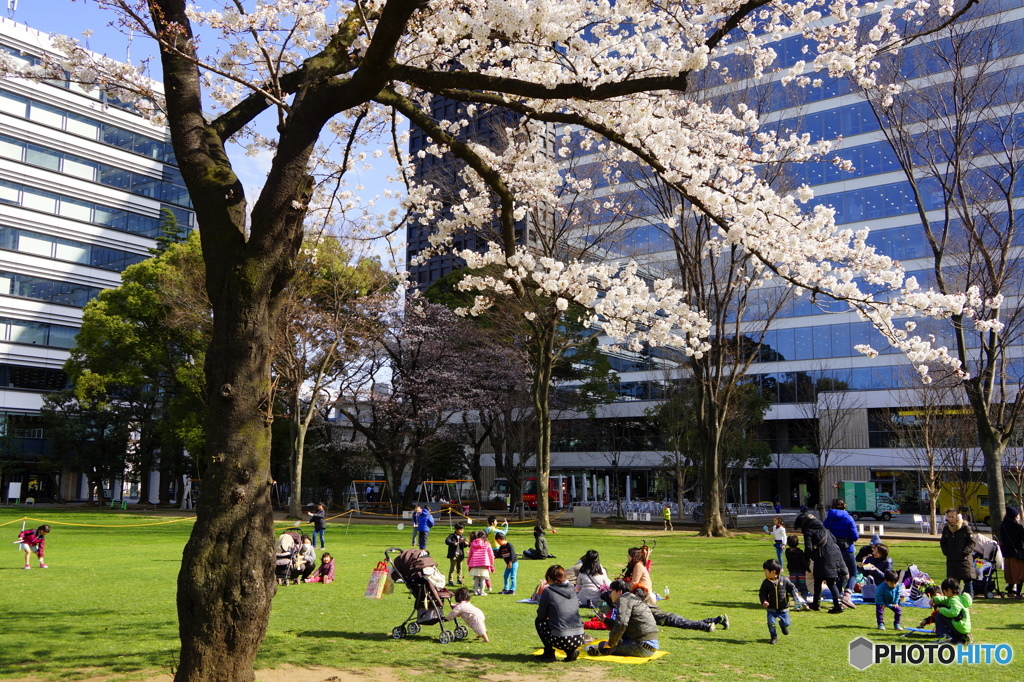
(98, 215)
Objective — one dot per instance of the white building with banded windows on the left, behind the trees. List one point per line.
(83, 182)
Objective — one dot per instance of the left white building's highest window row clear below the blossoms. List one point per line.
(87, 127)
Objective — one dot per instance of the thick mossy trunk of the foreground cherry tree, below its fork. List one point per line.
(227, 581)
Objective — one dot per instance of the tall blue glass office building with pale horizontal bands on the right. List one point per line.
(810, 347)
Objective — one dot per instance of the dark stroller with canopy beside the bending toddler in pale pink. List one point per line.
(419, 573)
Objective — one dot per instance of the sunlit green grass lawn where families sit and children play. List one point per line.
(106, 610)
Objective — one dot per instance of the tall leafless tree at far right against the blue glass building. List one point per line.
(955, 131)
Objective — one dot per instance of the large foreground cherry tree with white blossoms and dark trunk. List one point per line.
(328, 75)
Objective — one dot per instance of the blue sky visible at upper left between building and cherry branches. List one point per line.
(72, 18)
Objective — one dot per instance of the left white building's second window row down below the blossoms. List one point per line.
(35, 155)
